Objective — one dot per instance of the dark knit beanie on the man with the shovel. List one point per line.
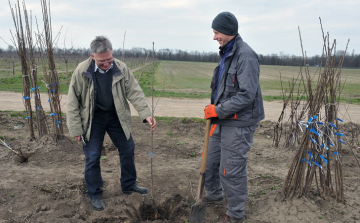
(226, 23)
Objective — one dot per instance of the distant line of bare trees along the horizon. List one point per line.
(350, 61)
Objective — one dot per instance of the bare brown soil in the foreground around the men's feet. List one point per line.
(49, 187)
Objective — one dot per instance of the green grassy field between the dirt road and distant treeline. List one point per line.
(192, 79)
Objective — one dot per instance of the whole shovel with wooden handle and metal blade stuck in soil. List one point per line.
(198, 209)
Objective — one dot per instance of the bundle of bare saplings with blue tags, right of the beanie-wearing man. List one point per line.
(315, 130)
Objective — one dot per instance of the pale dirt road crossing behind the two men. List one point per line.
(174, 107)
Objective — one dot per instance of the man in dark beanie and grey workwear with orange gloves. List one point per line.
(236, 108)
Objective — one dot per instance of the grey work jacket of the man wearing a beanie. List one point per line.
(239, 99)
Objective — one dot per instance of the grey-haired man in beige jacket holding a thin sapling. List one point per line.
(97, 103)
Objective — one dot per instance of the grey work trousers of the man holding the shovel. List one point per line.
(226, 166)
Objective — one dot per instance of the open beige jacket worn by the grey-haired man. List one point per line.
(80, 104)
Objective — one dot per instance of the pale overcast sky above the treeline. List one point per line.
(267, 26)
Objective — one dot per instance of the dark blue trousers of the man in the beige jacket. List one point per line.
(108, 122)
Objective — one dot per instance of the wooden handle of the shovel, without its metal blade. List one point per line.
(203, 161)
